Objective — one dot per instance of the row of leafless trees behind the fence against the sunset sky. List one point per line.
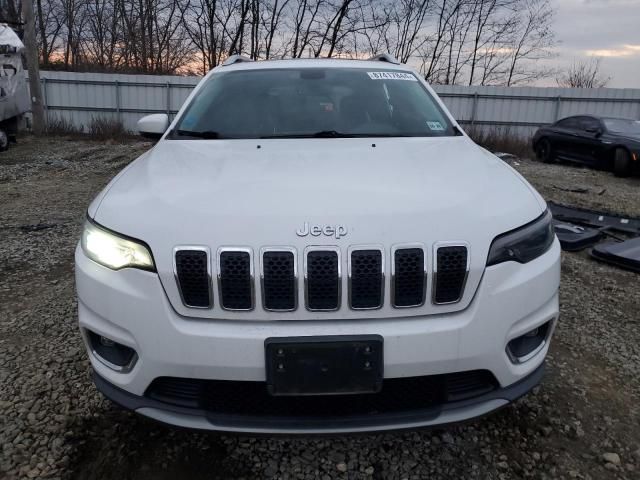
(453, 41)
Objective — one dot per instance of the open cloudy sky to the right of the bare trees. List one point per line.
(609, 29)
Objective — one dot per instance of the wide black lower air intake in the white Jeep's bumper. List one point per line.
(221, 397)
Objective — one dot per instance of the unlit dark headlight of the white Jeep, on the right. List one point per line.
(523, 244)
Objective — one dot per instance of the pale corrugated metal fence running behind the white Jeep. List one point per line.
(81, 97)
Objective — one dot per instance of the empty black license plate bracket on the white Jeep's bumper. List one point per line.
(326, 365)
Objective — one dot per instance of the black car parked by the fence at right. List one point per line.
(606, 143)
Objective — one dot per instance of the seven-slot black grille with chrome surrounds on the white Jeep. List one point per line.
(321, 269)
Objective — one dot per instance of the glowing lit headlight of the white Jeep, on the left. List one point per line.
(114, 251)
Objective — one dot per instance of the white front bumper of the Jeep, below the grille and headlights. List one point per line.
(131, 307)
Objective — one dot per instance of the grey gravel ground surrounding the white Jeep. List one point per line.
(582, 422)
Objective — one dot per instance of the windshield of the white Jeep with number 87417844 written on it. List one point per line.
(312, 102)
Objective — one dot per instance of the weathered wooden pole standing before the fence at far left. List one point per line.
(37, 106)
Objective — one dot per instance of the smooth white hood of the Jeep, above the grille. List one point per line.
(258, 193)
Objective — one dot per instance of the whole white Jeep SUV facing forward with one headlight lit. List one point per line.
(315, 246)
